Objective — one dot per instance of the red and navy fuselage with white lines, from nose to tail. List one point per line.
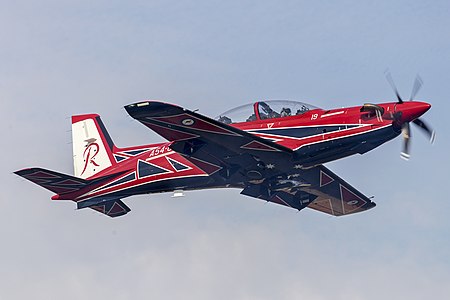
(317, 136)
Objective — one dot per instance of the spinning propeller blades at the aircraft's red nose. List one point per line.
(405, 127)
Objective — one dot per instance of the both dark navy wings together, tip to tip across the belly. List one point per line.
(263, 168)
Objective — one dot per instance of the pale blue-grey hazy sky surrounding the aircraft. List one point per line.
(60, 58)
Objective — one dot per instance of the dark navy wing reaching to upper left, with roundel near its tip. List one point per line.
(211, 145)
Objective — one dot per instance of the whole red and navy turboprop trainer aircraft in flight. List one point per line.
(271, 150)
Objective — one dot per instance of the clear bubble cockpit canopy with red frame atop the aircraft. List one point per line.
(264, 110)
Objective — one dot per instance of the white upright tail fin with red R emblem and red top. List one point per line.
(92, 146)
